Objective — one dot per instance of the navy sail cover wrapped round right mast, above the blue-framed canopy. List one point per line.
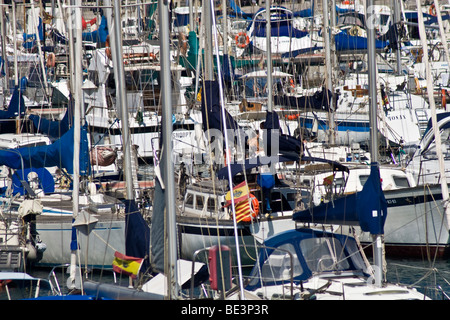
(367, 208)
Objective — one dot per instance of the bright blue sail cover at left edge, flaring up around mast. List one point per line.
(59, 154)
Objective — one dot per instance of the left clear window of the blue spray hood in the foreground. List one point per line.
(278, 265)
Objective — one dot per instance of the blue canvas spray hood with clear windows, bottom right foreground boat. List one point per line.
(299, 253)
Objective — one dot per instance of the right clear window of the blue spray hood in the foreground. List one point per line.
(324, 254)
